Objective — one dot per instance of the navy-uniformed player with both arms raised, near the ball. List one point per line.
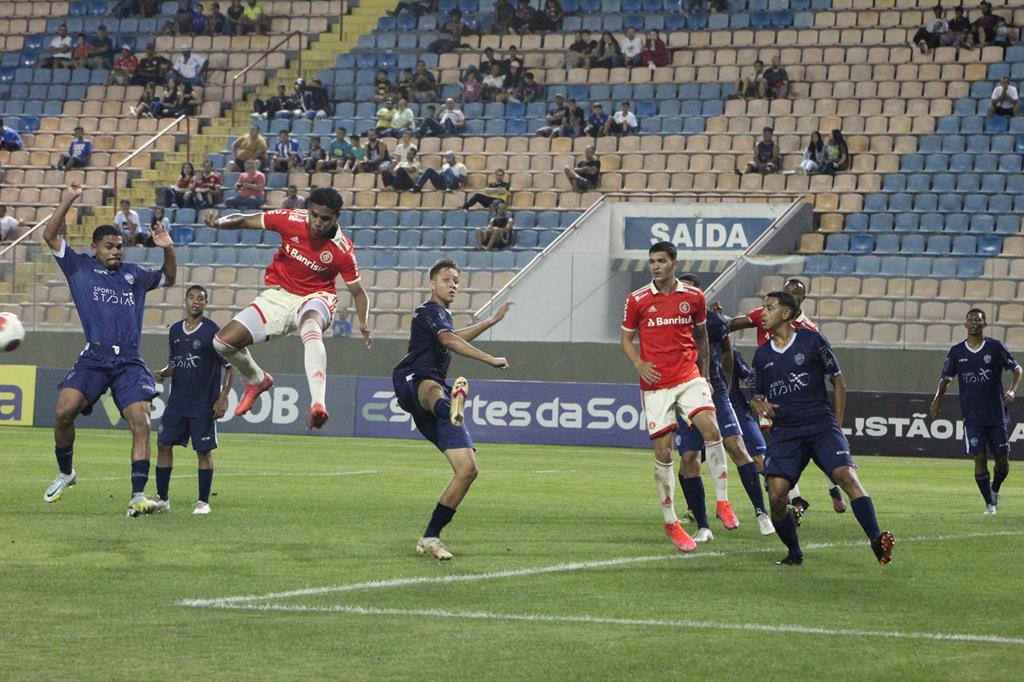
(109, 296)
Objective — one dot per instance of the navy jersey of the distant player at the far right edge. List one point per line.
(980, 374)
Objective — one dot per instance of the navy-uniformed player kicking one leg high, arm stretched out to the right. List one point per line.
(439, 410)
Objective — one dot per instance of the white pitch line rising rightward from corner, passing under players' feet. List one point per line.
(227, 603)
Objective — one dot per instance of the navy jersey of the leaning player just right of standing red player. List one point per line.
(794, 379)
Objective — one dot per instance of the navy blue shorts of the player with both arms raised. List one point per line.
(129, 378)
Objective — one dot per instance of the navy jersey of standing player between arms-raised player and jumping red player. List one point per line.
(196, 378)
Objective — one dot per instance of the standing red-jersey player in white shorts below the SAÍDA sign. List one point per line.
(673, 364)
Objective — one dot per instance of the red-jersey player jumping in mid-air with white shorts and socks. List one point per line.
(301, 296)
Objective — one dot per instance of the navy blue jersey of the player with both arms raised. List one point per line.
(109, 303)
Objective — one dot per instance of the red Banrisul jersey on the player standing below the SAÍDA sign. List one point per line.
(665, 323)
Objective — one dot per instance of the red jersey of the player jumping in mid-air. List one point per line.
(306, 265)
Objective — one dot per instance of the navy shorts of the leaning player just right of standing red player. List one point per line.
(792, 449)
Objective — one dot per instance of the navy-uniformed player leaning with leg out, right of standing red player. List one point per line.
(790, 376)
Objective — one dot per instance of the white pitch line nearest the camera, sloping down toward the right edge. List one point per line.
(633, 623)
